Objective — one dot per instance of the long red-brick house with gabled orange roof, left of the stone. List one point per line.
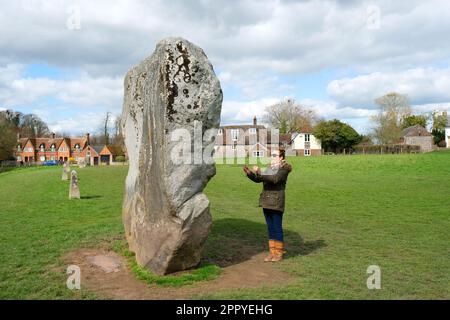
(38, 150)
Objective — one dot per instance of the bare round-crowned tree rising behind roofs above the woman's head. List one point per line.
(289, 116)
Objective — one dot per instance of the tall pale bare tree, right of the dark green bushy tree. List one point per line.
(393, 107)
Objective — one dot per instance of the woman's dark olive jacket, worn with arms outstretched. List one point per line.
(274, 183)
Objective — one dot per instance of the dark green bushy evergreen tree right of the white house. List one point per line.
(336, 135)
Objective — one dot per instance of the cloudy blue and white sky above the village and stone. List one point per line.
(65, 60)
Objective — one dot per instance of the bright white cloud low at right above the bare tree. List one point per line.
(421, 85)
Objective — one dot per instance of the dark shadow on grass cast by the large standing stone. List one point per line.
(232, 241)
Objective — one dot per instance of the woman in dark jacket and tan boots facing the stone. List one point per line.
(272, 200)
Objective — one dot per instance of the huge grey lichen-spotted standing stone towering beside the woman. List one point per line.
(165, 213)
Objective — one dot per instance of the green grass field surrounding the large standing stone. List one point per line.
(343, 213)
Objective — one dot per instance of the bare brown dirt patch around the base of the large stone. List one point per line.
(122, 284)
